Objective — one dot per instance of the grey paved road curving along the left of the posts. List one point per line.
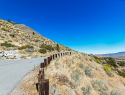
(12, 71)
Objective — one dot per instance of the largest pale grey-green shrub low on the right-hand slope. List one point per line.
(99, 85)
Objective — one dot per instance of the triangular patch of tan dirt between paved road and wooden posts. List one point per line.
(27, 85)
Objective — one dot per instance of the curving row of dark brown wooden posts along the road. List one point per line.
(43, 84)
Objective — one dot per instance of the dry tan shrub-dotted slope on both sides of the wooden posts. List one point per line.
(78, 74)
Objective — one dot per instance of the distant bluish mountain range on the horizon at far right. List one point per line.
(119, 54)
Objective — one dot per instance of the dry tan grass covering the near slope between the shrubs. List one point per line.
(64, 87)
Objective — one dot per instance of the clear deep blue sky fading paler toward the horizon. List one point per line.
(90, 26)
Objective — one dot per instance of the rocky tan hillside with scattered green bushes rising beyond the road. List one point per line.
(30, 42)
